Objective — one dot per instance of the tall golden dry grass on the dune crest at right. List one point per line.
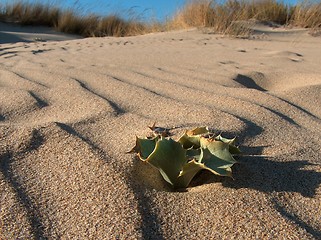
(232, 17)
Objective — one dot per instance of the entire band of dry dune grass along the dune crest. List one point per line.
(231, 17)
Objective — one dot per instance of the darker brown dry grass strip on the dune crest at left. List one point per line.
(68, 21)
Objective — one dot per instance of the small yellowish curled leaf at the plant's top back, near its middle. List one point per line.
(191, 138)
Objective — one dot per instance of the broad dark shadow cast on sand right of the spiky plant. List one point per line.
(266, 174)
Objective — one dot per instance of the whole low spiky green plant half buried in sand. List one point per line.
(179, 161)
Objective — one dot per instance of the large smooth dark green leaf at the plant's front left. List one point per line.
(168, 157)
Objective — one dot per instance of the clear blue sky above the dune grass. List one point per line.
(142, 9)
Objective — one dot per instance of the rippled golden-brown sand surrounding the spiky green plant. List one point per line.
(70, 110)
